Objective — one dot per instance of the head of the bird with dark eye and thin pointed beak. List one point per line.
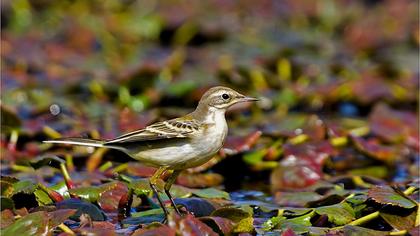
(222, 98)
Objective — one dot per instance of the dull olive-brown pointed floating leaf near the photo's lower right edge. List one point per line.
(387, 195)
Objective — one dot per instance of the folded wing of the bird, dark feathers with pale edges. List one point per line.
(176, 128)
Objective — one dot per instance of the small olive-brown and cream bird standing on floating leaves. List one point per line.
(176, 144)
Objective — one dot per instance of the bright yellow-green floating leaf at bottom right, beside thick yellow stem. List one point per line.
(339, 214)
